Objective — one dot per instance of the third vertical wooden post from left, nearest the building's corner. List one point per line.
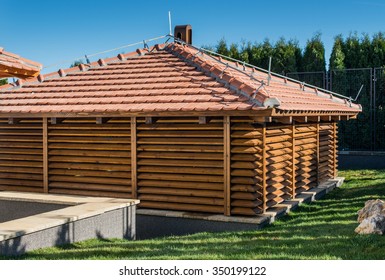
(227, 164)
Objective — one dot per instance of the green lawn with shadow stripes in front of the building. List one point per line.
(320, 230)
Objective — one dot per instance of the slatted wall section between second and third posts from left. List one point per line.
(180, 164)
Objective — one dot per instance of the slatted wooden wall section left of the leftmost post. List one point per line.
(21, 155)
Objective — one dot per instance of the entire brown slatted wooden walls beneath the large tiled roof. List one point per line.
(223, 165)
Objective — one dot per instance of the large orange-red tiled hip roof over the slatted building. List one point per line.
(170, 78)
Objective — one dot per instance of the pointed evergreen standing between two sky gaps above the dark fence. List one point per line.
(314, 55)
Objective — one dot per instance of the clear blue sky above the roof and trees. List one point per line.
(53, 31)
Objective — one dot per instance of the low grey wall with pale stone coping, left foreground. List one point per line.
(104, 217)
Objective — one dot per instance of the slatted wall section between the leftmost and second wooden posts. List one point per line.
(86, 158)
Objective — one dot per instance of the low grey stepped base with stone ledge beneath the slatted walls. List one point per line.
(157, 223)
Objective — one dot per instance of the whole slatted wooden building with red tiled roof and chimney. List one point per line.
(175, 126)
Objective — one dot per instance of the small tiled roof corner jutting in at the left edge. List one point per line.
(12, 65)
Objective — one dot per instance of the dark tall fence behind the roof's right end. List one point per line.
(367, 132)
